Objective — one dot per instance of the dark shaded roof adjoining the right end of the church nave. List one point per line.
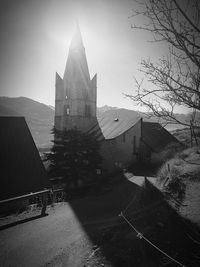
(156, 136)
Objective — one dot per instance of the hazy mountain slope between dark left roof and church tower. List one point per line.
(39, 117)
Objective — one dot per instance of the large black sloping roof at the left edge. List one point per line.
(21, 169)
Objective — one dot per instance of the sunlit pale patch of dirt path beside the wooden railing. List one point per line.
(54, 240)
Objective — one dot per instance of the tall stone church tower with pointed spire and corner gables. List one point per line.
(75, 99)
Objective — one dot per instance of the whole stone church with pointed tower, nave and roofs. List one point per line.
(124, 138)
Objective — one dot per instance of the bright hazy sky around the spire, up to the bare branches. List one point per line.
(35, 38)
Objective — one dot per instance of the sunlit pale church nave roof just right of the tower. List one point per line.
(113, 123)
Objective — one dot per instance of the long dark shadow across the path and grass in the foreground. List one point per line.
(116, 243)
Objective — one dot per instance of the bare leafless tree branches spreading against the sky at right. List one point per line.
(175, 78)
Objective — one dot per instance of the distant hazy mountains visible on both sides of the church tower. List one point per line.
(40, 117)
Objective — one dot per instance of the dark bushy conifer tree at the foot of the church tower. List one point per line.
(74, 156)
